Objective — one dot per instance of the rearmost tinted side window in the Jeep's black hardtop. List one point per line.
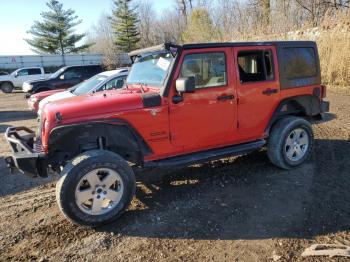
(300, 62)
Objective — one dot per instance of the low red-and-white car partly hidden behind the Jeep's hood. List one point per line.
(104, 81)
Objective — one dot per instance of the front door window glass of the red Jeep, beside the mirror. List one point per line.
(208, 69)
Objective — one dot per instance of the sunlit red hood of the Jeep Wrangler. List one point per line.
(96, 106)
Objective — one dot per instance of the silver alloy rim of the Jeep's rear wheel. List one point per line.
(297, 144)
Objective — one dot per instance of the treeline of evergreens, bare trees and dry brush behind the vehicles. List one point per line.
(133, 24)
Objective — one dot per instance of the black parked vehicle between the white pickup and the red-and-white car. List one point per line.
(62, 79)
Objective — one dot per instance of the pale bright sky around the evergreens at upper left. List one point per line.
(17, 16)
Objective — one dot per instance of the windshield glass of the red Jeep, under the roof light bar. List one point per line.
(150, 70)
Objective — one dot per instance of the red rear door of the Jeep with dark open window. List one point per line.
(258, 88)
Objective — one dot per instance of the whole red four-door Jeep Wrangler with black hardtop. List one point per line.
(182, 104)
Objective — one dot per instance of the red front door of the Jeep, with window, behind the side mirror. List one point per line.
(207, 117)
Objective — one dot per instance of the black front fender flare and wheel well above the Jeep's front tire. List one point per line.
(67, 141)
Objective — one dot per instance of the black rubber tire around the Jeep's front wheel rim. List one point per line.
(73, 173)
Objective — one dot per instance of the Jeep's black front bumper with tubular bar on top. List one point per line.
(27, 156)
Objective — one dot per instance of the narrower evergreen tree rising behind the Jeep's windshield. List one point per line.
(124, 24)
